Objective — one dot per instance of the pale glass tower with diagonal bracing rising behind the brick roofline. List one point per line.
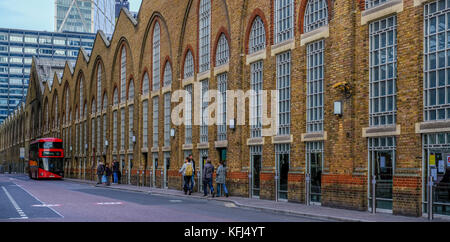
(85, 16)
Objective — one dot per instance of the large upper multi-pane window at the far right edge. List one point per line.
(437, 61)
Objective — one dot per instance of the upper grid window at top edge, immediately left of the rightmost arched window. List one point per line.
(284, 20)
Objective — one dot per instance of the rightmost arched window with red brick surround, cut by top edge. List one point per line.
(316, 15)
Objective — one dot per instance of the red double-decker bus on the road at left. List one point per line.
(46, 159)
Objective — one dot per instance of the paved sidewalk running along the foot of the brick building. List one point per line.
(288, 208)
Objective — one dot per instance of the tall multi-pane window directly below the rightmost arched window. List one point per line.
(315, 83)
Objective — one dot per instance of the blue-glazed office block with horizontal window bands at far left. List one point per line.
(17, 48)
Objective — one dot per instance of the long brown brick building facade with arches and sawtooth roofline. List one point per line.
(377, 61)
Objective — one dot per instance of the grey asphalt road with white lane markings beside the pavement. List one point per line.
(22, 199)
